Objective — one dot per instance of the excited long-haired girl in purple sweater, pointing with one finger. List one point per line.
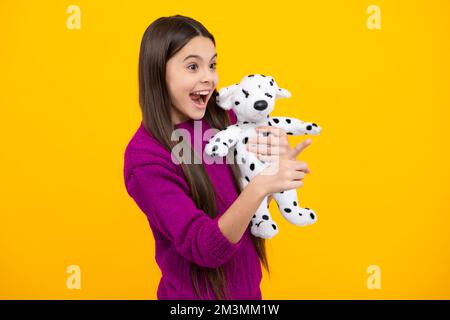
(198, 213)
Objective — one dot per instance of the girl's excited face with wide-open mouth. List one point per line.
(192, 69)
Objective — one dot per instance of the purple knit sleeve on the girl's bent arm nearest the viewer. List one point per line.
(162, 196)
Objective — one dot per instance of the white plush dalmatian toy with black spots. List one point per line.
(252, 100)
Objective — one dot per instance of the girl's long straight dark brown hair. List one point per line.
(163, 39)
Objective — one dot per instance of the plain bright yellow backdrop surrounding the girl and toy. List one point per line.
(380, 169)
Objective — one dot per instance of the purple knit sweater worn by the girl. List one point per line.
(183, 233)
